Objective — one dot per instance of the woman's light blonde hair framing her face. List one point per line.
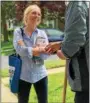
(27, 11)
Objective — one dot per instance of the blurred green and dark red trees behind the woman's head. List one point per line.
(12, 14)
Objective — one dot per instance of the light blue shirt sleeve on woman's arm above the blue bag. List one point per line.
(21, 50)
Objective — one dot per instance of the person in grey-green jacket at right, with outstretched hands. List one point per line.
(75, 49)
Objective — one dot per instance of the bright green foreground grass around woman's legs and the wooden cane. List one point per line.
(55, 90)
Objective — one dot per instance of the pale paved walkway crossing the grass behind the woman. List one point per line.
(8, 97)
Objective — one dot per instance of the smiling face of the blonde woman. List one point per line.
(34, 16)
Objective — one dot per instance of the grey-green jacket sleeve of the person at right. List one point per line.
(75, 30)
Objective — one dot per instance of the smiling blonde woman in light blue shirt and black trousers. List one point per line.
(30, 47)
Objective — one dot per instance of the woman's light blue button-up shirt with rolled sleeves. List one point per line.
(31, 71)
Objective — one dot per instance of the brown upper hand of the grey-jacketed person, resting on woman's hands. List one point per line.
(53, 47)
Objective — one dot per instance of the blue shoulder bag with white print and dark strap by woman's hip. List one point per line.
(15, 64)
